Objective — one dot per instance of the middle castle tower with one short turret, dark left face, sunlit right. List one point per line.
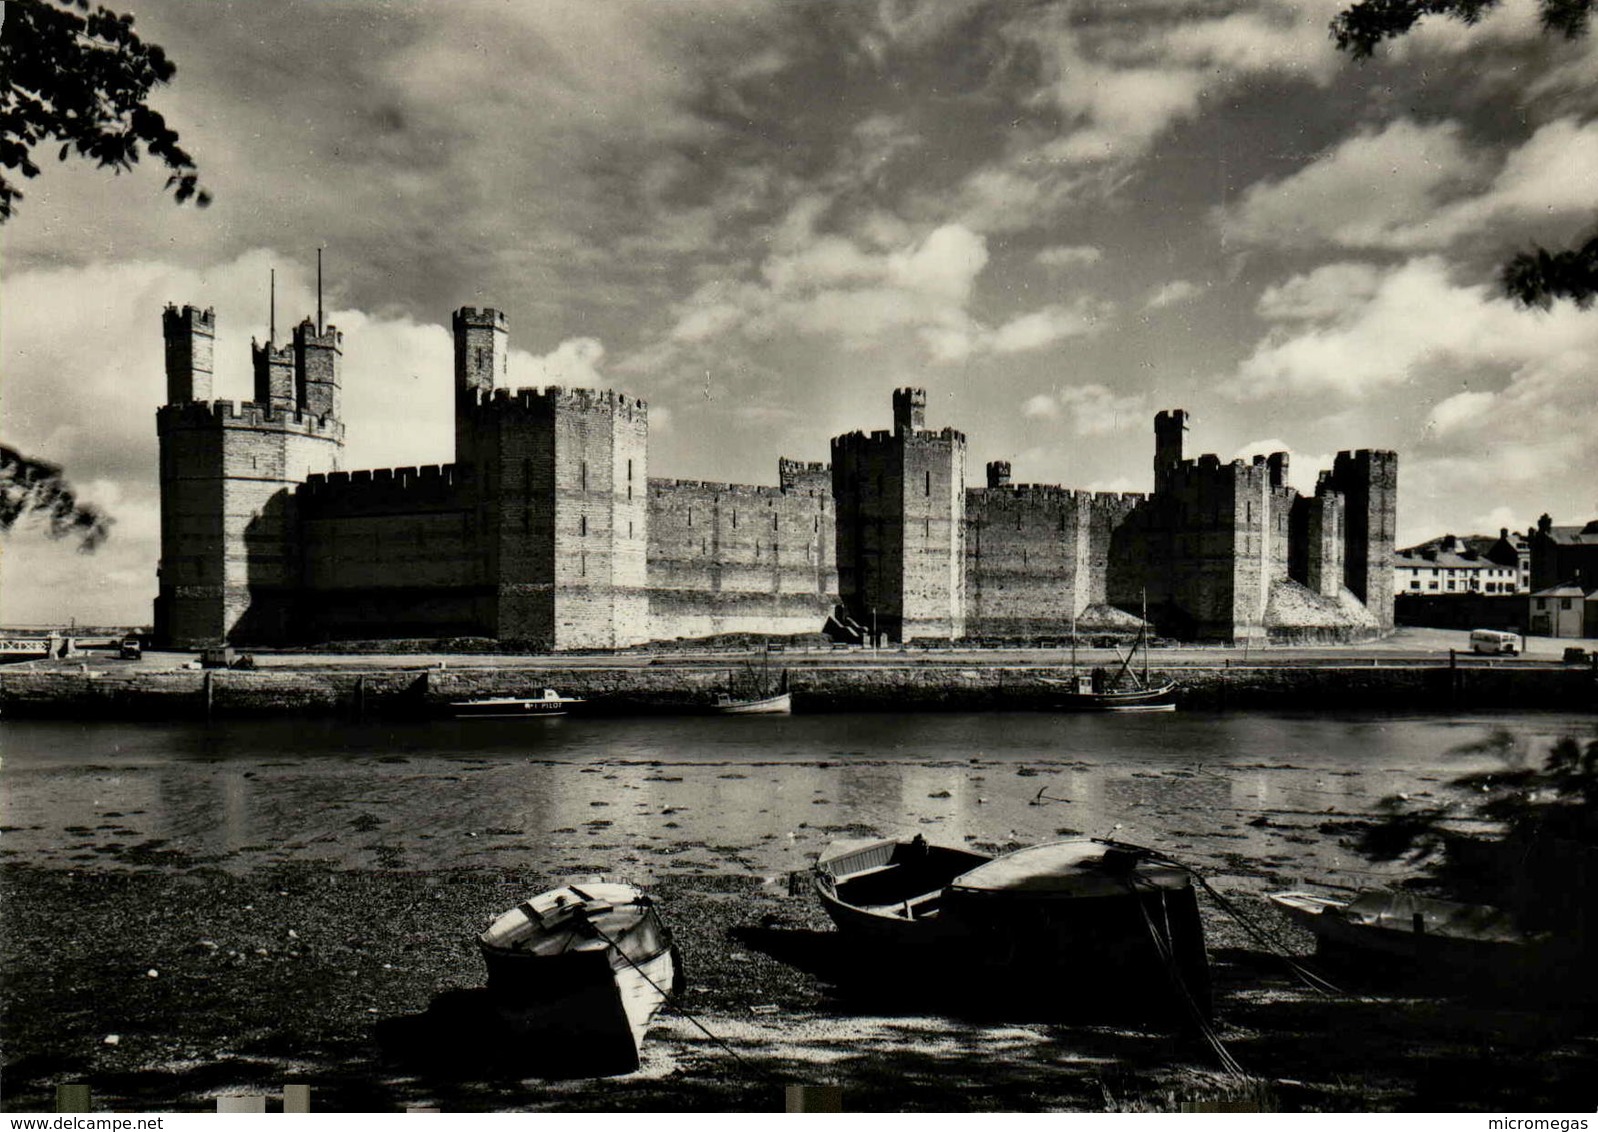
(902, 525)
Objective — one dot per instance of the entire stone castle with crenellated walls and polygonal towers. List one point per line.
(549, 532)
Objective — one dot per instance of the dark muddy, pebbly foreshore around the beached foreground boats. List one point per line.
(316, 975)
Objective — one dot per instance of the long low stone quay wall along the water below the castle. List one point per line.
(419, 693)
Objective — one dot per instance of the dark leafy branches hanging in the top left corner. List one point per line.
(81, 78)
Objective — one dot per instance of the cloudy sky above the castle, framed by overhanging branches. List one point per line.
(763, 217)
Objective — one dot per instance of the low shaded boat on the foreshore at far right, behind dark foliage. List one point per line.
(1413, 931)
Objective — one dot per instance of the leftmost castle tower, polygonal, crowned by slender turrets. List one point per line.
(231, 565)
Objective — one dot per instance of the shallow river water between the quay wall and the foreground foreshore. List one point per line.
(643, 797)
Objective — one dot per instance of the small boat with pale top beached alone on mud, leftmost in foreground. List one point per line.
(579, 973)
